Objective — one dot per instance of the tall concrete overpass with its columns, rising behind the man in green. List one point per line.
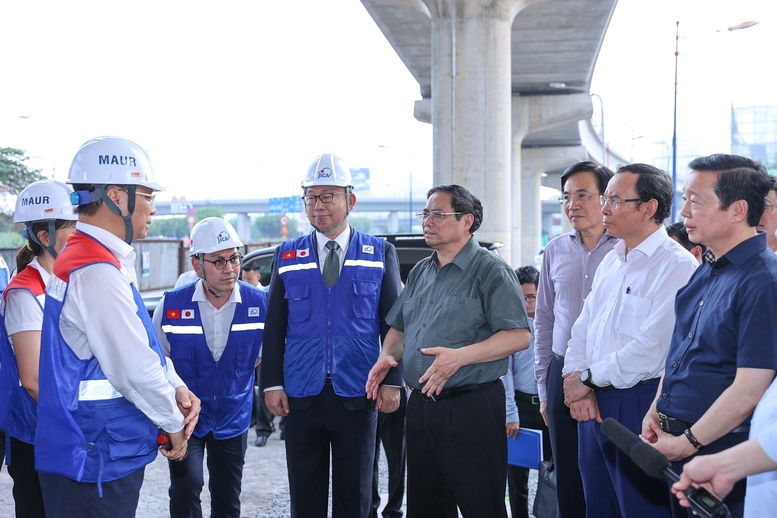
(505, 83)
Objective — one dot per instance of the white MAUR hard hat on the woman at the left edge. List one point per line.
(44, 200)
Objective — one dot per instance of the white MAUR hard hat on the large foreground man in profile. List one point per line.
(112, 161)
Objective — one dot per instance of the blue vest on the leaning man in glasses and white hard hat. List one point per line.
(225, 387)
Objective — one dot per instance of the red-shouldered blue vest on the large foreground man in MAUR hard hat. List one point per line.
(86, 431)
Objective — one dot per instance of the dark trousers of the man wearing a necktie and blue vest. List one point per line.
(311, 434)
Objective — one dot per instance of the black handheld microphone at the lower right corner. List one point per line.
(655, 464)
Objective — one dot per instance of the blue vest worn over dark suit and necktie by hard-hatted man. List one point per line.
(331, 330)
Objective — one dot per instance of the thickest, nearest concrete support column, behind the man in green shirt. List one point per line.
(471, 103)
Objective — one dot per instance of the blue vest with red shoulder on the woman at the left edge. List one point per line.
(18, 411)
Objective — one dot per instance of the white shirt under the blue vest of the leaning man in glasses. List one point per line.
(216, 323)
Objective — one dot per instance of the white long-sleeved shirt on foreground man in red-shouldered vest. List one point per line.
(99, 320)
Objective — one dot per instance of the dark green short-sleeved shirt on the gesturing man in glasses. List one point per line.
(464, 302)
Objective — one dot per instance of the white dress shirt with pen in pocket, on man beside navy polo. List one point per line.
(624, 331)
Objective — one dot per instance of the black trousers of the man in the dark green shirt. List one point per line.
(457, 455)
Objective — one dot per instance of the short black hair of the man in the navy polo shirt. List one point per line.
(739, 178)
